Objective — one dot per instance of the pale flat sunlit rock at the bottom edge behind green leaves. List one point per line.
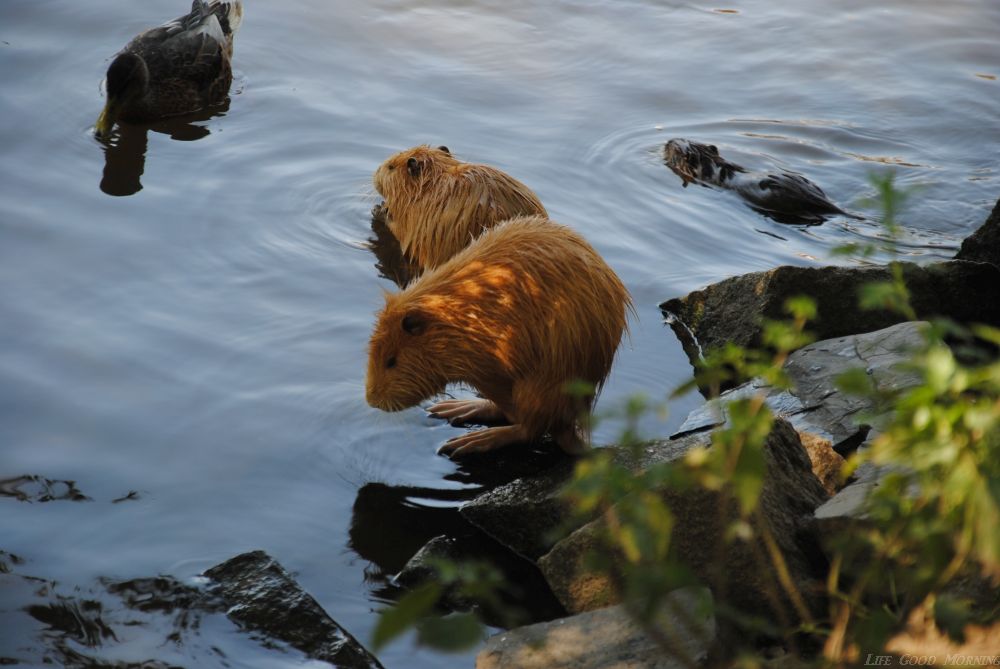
(608, 638)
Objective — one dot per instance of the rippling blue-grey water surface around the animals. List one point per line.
(201, 341)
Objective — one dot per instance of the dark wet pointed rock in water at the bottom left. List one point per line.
(264, 598)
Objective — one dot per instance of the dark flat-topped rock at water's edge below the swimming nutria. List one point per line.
(732, 310)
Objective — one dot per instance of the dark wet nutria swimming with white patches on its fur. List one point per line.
(785, 196)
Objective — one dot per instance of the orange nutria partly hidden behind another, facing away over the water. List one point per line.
(438, 204)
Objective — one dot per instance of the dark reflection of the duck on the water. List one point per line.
(125, 150)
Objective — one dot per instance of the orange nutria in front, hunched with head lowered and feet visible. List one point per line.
(527, 308)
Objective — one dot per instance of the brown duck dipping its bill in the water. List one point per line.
(179, 67)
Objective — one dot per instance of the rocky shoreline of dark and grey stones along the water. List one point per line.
(583, 621)
